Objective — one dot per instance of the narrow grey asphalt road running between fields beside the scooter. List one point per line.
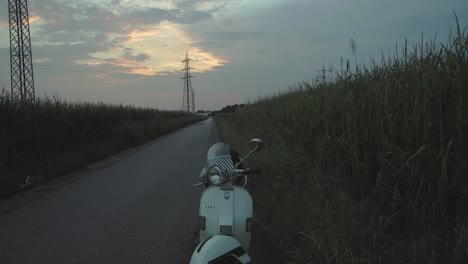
(140, 209)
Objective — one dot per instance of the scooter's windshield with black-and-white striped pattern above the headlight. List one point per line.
(218, 155)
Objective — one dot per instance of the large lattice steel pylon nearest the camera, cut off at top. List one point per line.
(21, 65)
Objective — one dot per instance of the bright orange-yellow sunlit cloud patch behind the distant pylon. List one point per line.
(163, 45)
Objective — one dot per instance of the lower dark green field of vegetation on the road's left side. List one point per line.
(50, 137)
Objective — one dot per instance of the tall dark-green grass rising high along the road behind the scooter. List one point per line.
(370, 166)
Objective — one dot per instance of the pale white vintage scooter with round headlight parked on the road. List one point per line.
(226, 211)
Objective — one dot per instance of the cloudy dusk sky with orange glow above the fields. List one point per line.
(130, 51)
